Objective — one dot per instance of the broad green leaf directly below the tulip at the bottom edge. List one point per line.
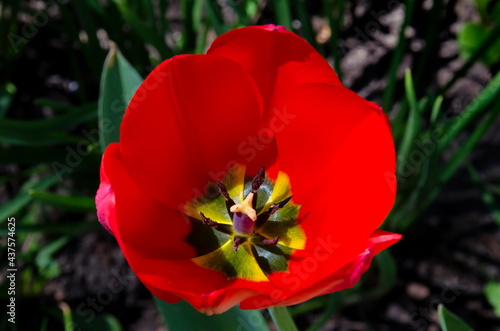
(181, 316)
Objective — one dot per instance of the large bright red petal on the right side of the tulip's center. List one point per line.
(339, 154)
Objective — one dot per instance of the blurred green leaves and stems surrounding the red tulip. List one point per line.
(55, 153)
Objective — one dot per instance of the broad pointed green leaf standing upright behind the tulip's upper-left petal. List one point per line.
(119, 81)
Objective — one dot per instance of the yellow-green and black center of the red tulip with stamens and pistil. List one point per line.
(246, 228)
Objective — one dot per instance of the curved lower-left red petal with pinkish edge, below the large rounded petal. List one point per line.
(150, 236)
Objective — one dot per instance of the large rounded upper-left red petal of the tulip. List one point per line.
(185, 126)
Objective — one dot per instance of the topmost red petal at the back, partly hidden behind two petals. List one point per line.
(277, 59)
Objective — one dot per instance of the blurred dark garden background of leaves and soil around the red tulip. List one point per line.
(433, 65)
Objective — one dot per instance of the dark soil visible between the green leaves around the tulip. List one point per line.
(446, 256)
